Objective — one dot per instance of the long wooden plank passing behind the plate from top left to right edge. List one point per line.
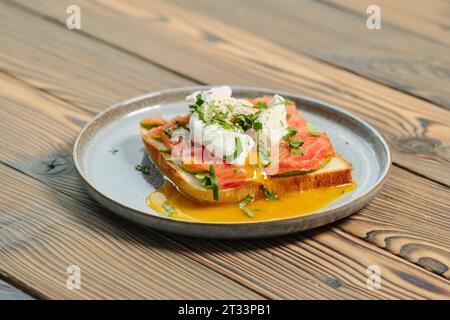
(213, 52)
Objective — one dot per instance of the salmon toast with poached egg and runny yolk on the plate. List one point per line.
(232, 152)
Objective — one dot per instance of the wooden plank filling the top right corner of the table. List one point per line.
(428, 19)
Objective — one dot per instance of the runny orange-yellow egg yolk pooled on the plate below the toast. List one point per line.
(289, 205)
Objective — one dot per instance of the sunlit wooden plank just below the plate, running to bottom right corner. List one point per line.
(324, 258)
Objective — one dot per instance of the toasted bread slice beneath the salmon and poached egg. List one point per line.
(336, 172)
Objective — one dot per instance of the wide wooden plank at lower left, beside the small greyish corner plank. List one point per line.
(43, 232)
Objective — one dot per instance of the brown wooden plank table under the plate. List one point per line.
(53, 80)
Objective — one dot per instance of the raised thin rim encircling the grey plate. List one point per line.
(373, 189)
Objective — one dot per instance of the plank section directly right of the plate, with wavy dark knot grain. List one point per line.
(410, 219)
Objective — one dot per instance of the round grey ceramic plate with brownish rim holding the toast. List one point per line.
(109, 147)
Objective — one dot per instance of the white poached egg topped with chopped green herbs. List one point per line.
(213, 124)
